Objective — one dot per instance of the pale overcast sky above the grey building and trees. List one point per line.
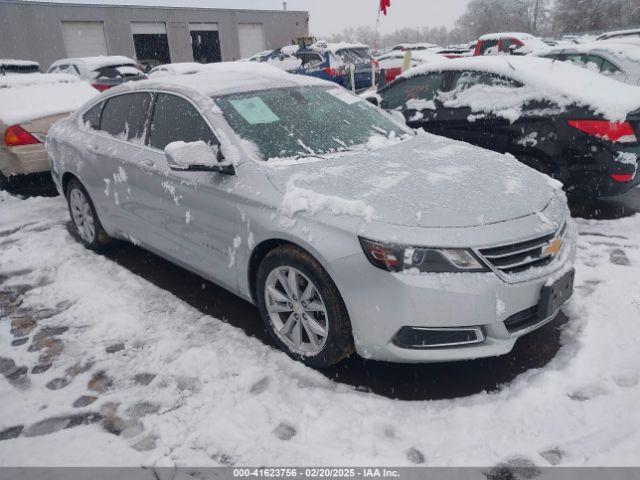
(331, 16)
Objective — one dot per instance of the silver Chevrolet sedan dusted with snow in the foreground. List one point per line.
(350, 232)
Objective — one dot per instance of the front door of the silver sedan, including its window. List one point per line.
(199, 222)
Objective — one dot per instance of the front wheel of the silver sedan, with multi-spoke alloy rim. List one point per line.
(302, 308)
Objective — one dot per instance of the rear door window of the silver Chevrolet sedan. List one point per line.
(125, 116)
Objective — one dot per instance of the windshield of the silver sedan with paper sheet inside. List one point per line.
(307, 121)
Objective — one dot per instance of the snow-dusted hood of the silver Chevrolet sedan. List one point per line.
(427, 181)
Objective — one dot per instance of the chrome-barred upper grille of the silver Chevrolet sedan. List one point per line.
(519, 257)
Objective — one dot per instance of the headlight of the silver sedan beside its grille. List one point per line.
(398, 258)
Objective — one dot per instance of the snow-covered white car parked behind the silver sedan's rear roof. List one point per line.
(103, 72)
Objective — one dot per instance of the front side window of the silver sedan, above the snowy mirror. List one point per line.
(176, 119)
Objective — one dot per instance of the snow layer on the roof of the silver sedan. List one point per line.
(228, 77)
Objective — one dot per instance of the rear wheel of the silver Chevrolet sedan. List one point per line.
(84, 217)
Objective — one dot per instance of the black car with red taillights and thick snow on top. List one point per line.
(490, 102)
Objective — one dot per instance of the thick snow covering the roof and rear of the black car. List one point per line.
(563, 83)
